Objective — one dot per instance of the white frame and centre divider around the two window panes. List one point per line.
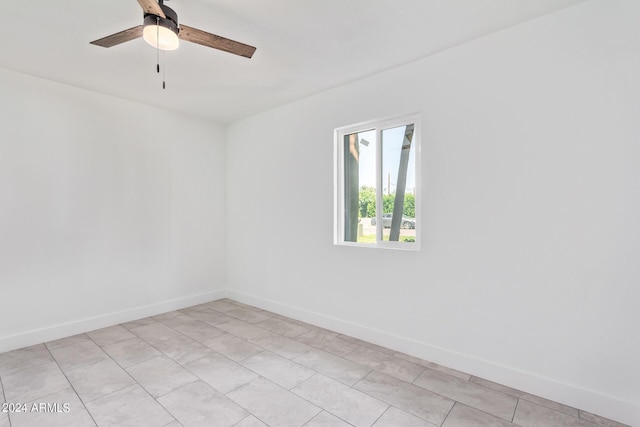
(338, 180)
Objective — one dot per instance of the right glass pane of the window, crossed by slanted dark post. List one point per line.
(398, 184)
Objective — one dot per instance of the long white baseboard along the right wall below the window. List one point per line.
(592, 401)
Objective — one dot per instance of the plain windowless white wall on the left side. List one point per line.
(109, 210)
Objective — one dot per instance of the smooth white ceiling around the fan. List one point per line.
(303, 46)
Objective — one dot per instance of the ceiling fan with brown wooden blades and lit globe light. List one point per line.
(161, 30)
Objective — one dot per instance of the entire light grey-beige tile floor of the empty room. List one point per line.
(228, 364)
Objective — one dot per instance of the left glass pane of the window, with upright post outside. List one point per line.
(359, 187)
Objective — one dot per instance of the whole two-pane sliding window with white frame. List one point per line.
(376, 184)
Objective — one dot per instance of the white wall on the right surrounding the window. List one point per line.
(531, 212)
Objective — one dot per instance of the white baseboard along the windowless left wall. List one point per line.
(51, 333)
